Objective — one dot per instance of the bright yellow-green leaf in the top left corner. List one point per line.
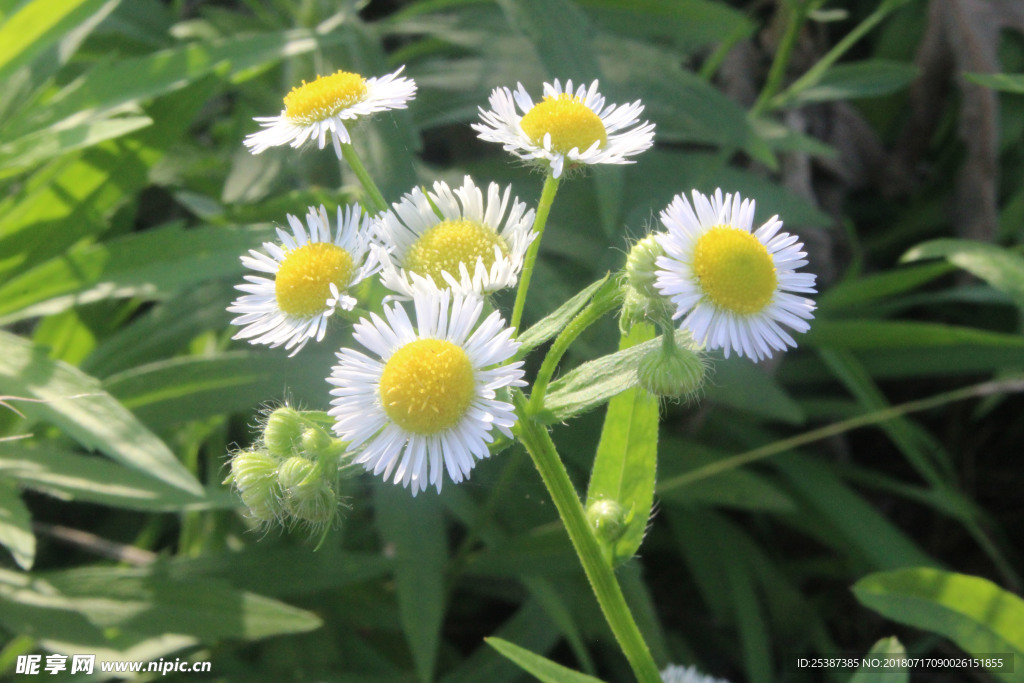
(36, 26)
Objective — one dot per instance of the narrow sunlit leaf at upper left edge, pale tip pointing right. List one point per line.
(39, 147)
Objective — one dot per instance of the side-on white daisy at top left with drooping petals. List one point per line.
(322, 107)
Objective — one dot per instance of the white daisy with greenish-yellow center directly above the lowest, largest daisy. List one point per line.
(476, 246)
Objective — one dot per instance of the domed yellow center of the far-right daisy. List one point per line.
(736, 271)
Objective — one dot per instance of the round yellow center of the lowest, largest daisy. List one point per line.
(428, 386)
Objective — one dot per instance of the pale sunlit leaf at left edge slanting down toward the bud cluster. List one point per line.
(75, 403)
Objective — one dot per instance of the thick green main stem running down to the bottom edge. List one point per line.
(603, 579)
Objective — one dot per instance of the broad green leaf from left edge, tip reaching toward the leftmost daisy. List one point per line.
(153, 265)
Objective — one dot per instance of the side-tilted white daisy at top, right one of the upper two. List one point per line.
(567, 129)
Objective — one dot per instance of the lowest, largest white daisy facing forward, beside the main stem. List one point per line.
(429, 402)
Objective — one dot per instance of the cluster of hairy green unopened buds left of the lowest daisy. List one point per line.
(291, 477)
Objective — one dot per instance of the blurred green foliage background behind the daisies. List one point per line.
(889, 139)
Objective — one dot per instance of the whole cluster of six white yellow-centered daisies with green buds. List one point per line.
(428, 393)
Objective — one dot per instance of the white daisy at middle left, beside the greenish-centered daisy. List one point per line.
(308, 278)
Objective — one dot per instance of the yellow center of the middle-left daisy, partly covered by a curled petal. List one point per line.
(304, 282)
